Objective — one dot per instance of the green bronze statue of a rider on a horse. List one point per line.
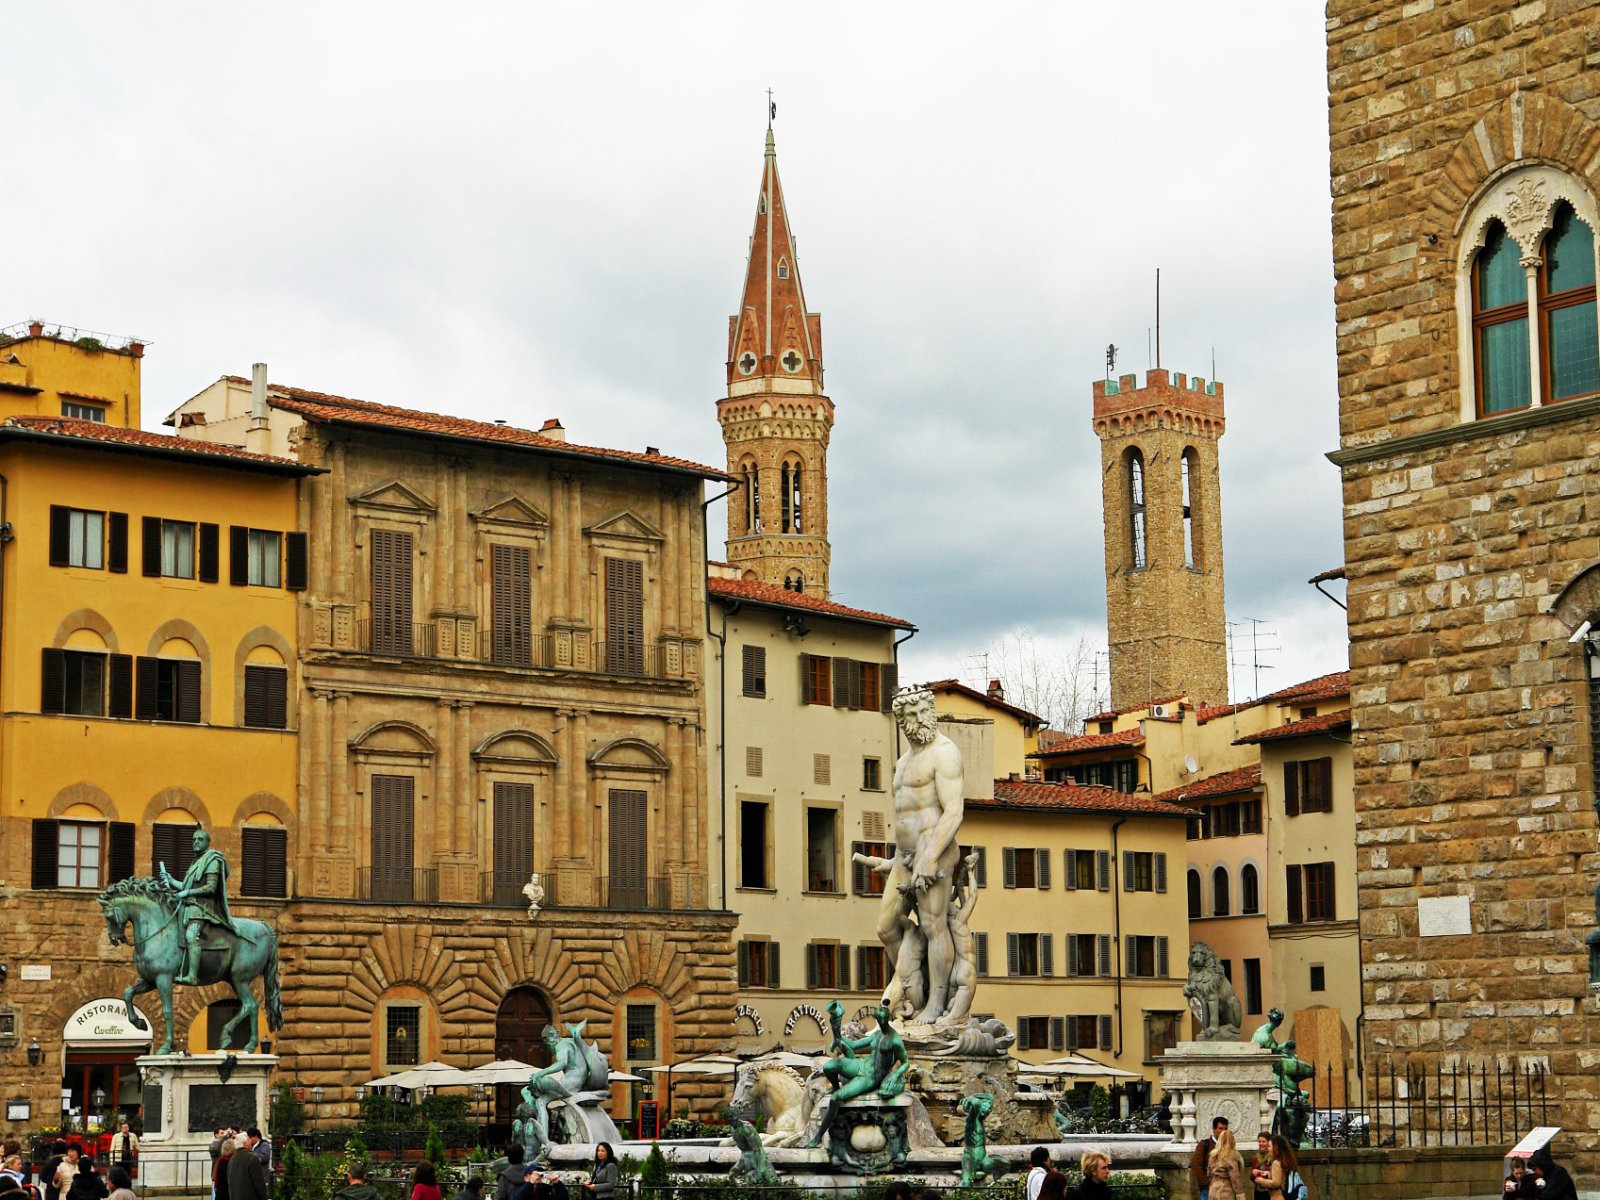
(183, 934)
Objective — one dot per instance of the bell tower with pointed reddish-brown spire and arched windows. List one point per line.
(777, 420)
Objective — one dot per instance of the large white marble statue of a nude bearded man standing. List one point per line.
(922, 918)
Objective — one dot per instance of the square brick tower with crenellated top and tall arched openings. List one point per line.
(1164, 537)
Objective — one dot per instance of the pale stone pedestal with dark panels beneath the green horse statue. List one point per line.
(186, 1100)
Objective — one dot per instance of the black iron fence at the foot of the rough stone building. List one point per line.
(1446, 1103)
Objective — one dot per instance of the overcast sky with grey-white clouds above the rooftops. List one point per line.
(542, 210)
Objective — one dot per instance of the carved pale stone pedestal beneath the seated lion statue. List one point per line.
(1218, 1079)
